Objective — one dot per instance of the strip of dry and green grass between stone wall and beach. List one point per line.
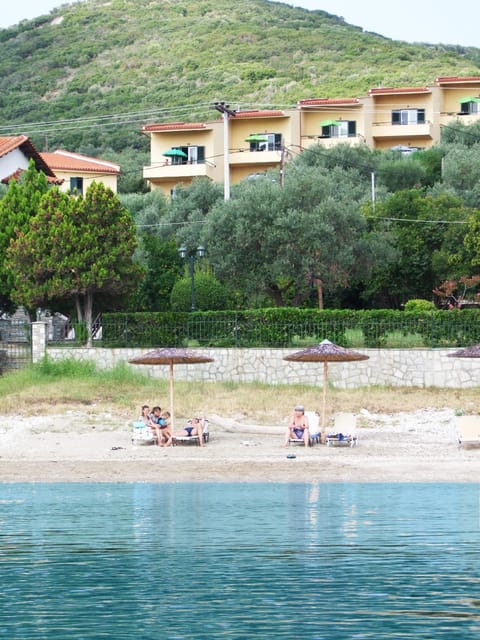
(51, 387)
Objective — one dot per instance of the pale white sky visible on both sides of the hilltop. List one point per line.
(434, 21)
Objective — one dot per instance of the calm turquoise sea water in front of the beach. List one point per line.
(249, 561)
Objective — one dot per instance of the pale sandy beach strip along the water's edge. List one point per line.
(80, 446)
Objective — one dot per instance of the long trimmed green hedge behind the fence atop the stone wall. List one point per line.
(287, 327)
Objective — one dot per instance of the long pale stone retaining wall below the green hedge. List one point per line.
(385, 367)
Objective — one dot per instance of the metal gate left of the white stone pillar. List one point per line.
(15, 344)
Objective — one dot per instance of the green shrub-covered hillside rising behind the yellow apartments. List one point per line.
(170, 59)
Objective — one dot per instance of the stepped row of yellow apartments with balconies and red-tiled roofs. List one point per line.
(403, 118)
